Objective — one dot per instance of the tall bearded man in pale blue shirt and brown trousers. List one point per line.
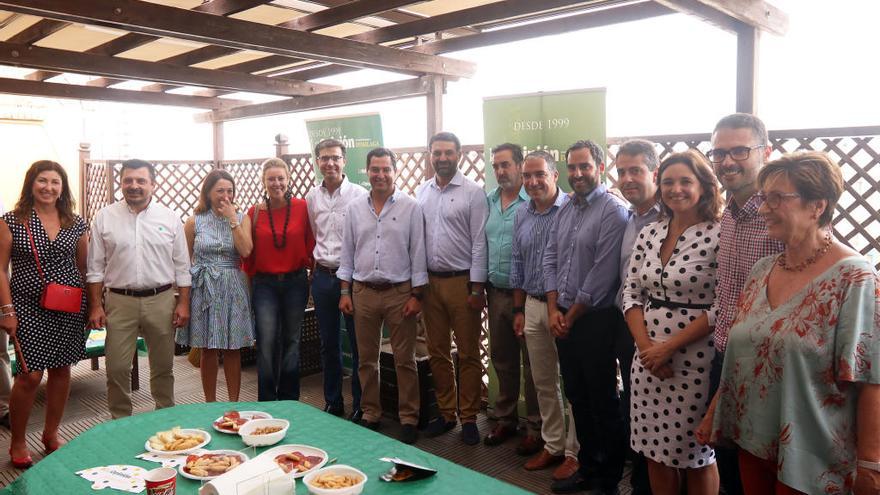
(455, 212)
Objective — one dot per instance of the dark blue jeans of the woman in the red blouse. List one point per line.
(279, 305)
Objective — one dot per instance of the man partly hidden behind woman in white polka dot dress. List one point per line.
(636, 164)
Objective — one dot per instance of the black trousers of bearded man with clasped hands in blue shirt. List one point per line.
(588, 363)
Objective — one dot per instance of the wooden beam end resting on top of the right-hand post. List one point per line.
(726, 14)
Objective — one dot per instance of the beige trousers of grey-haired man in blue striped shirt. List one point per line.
(545, 373)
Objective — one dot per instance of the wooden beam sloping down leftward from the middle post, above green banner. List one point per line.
(366, 94)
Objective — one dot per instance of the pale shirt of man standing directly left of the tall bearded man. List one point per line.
(388, 247)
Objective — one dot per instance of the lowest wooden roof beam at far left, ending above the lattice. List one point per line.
(73, 91)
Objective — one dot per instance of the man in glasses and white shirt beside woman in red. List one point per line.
(327, 204)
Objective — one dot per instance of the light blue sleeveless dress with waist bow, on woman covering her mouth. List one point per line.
(221, 316)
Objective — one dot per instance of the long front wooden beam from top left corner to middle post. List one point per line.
(160, 20)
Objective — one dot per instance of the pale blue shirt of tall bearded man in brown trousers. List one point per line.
(455, 226)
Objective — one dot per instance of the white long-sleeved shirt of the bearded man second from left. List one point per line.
(138, 251)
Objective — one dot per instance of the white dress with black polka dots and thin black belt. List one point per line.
(665, 413)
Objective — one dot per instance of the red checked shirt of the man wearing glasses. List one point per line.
(743, 242)
